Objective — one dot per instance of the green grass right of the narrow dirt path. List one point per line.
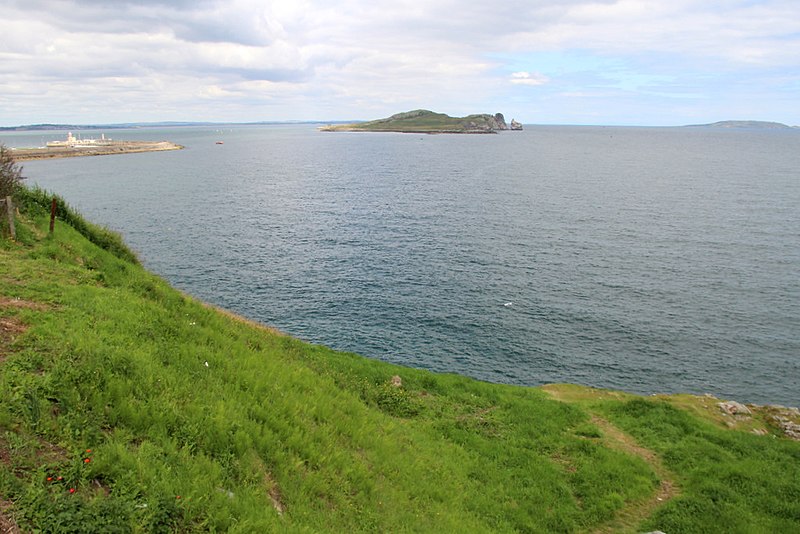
(733, 481)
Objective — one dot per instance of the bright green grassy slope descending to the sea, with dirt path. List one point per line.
(274, 434)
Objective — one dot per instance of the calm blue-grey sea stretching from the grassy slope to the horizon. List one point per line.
(645, 259)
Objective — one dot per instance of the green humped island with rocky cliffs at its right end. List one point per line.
(429, 122)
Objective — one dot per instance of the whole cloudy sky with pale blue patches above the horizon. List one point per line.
(627, 62)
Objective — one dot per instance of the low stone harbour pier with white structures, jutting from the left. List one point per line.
(73, 147)
